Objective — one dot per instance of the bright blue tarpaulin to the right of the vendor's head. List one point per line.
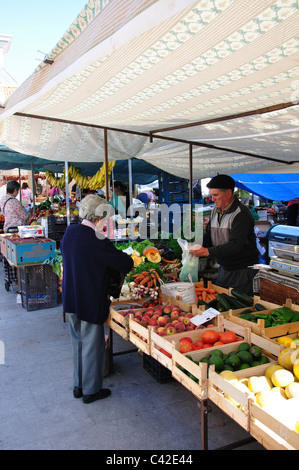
(276, 187)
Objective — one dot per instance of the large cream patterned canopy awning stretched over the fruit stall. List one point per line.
(216, 80)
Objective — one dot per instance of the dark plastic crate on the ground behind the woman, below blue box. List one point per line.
(38, 287)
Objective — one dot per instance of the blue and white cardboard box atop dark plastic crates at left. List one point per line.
(25, 252)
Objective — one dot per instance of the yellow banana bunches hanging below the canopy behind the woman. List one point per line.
(95, 182)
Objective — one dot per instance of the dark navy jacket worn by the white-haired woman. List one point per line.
(88, 263)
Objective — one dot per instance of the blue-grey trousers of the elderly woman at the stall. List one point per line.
(88, 346)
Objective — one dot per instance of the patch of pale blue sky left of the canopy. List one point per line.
(35, 25)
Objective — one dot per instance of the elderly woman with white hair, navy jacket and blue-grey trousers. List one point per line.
(89, 260)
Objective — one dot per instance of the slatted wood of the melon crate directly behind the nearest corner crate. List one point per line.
(217, 386)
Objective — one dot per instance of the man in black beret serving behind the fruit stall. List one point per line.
(230, 237)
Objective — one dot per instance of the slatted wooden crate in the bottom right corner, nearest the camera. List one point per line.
(275, 432)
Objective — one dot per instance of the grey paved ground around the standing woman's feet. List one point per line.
(38, 411)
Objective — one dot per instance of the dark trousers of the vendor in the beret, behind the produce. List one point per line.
(239, 279)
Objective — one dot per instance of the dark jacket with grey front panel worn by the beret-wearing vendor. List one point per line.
(231, 239)
